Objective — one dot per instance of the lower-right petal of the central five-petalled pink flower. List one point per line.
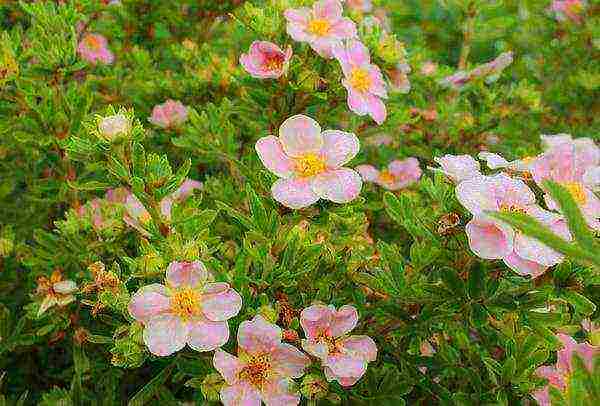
(339, 186)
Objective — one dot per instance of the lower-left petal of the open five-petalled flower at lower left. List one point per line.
(165, 335)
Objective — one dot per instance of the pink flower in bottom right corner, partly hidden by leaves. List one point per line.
(558, 375)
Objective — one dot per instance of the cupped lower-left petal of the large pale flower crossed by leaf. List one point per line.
(488, 239)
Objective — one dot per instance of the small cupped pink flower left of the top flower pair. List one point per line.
(266, 60)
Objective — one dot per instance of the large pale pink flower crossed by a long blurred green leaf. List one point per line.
(493, 239)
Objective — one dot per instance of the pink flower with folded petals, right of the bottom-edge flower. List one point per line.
(344, 358)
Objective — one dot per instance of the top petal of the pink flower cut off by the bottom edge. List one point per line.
(258, 335)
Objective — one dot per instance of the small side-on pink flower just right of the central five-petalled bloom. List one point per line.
(398, 175)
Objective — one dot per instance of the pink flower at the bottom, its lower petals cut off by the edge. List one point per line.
(263, 368)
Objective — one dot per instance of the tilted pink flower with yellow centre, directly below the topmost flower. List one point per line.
(363, 80)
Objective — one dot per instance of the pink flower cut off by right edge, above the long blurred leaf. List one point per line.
(574, 165)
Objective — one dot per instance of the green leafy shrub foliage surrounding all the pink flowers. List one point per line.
(401, 258)
